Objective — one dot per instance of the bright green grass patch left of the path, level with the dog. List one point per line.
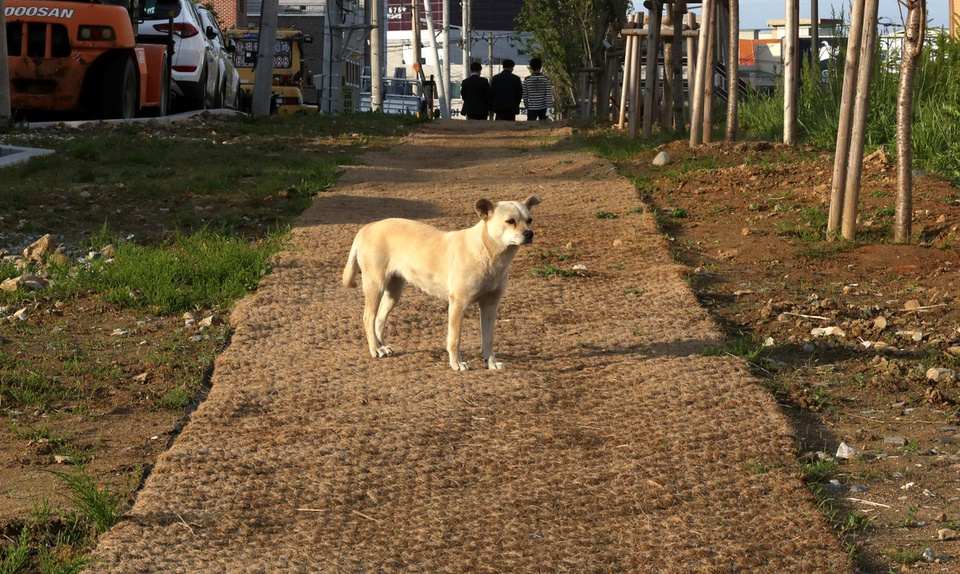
(202, 270)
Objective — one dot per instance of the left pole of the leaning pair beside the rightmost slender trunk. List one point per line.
(851, 66)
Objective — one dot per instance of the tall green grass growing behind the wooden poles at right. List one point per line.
(936, 128)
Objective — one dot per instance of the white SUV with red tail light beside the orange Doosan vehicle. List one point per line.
(195, 67)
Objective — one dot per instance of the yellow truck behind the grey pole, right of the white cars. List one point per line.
(288, 67)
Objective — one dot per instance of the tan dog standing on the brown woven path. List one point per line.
(462, 267)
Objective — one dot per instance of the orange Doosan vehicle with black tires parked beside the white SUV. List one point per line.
(84, 57)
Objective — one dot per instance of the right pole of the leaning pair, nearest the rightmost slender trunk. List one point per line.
(851, 196)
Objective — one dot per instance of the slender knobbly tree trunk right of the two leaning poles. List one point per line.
(912, 46)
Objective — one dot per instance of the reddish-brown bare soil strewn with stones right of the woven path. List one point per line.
(748, 221)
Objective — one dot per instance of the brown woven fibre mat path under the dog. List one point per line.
(611, 444)
